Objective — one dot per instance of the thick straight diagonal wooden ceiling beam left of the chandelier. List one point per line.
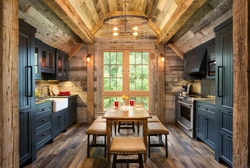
(65, 10)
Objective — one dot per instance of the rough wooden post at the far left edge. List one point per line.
(9, 120)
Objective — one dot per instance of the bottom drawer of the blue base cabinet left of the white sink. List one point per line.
(43, 136)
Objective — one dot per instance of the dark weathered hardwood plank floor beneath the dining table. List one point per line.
(69, 150)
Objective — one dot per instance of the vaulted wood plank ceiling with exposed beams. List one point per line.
(67, 24)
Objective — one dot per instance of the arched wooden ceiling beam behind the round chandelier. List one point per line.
(99, 25)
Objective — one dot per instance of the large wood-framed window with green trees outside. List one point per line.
(125, 73)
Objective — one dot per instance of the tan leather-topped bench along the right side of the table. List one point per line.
(157, 129)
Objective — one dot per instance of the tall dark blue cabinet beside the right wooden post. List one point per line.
(224, 91)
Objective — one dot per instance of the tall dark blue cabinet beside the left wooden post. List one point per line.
(26, 87)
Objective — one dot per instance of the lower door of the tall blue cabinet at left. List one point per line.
(24, 137)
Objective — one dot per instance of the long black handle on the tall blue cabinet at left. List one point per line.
(29, 81)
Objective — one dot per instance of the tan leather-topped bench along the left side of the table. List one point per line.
(96, 129)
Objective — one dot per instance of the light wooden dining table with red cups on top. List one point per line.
(126, 114)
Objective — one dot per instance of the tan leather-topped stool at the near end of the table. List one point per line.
(127, 146)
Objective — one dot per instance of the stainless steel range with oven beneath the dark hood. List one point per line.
(186, 114)
